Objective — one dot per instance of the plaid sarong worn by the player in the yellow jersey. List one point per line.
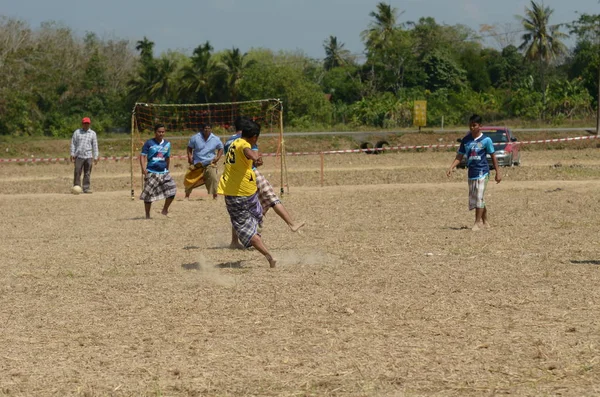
(246, 215)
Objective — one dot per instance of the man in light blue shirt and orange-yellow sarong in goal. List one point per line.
(204, 151)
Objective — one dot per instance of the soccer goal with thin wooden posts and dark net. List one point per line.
(182, 118)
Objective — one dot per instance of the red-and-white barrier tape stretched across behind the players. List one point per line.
(386, 148)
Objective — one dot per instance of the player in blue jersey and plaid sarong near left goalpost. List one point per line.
(158, 184)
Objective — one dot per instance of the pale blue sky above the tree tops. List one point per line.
(275, 24)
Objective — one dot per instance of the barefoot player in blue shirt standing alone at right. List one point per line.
(476, 146)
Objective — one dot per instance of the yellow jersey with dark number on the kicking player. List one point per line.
(238, 178)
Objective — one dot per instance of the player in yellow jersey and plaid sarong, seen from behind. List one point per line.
(238, 185)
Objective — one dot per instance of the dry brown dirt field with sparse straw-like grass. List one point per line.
(385, 292)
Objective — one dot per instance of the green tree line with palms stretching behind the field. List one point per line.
(51, 78)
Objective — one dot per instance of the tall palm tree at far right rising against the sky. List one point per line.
(542, 41)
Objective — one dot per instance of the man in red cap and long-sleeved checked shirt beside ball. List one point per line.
(84, 151)
